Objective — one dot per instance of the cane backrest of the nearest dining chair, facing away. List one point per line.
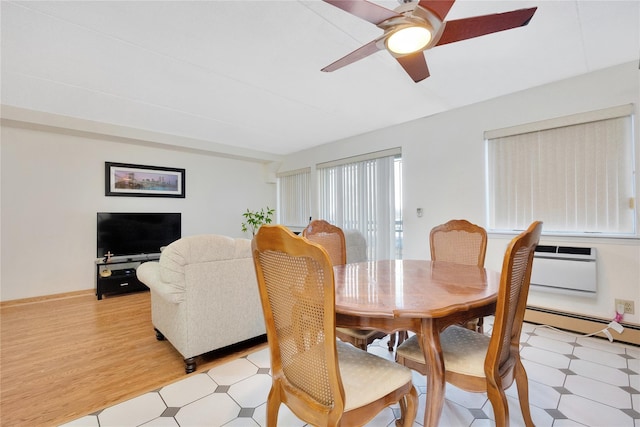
(296, 284)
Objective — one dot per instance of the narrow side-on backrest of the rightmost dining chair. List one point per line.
(512, 299)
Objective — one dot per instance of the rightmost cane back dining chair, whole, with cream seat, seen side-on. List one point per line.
(478, 363)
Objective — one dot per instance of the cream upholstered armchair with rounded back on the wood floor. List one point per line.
(204, 295)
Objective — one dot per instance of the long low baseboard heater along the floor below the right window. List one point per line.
(581, 324)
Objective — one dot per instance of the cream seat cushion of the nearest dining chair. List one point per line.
(367, 377)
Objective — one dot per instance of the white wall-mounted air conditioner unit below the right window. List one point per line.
(564, 269)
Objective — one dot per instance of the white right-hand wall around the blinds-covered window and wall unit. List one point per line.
(443, 165)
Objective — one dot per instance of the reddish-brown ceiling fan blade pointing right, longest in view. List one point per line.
(468, 28)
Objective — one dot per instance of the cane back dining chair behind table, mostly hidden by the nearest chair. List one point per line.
(331, 238)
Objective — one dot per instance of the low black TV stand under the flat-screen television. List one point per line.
(118, 274)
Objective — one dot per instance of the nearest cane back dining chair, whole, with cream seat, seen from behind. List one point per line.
(324, 381)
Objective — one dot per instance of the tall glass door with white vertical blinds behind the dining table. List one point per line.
(364, 193)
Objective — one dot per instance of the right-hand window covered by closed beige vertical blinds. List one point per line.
(576, 174)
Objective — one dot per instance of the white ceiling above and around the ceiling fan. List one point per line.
(247, 73)
